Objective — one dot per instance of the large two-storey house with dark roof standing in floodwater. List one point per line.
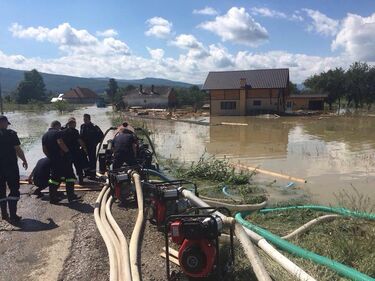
(247, 92)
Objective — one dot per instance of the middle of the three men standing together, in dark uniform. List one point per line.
(74, 142)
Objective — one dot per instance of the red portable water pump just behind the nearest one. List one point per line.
(165, 200)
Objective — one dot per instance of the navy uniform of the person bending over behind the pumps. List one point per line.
(123, 149)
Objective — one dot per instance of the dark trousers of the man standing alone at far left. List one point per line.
(10, 177)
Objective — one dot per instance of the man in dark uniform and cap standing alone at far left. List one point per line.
(9, 172)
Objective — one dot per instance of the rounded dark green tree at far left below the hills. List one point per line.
(31, 88)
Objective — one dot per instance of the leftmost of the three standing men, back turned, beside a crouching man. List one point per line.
(61, 163)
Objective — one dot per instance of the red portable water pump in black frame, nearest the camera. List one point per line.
(198, 237)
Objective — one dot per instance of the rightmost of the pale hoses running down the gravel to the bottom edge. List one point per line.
(135, 238)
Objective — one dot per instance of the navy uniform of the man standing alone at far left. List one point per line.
(9, 172)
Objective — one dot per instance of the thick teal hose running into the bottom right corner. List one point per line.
(341, 269)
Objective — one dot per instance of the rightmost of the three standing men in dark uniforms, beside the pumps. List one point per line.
(91, 135)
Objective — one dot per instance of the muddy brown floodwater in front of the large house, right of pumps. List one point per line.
(331, 153)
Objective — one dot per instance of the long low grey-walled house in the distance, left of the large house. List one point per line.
(151, 97)
